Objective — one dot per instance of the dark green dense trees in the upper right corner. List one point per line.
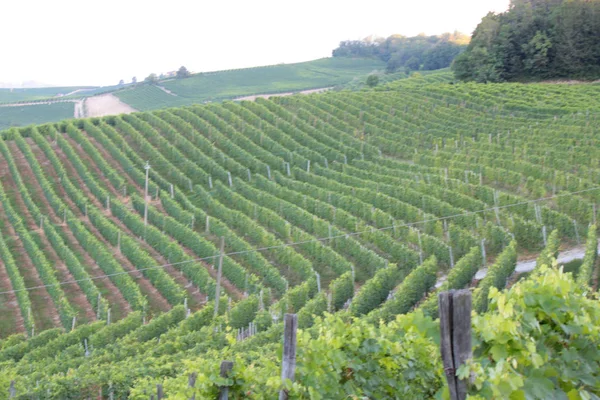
(533, 40)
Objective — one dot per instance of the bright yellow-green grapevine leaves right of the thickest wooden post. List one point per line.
(539, 340)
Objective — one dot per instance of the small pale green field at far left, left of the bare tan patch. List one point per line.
(34, 114)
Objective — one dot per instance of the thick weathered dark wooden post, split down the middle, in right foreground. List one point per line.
(455, 337)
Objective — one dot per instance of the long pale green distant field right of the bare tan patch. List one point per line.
(229, 84)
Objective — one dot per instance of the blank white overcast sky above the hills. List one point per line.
(98, 42)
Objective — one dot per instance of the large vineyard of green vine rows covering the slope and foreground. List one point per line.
(143, 249)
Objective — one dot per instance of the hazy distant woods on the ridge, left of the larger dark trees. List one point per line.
(411, 53)
